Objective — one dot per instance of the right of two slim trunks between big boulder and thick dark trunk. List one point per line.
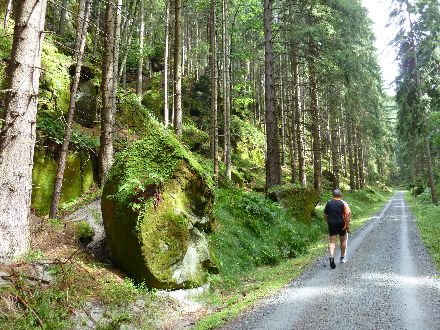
(226, 96)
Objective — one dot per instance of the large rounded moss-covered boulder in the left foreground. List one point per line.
(156, 206)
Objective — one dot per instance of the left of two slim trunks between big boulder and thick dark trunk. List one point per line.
(213, 69)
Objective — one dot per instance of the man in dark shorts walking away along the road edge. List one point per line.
(337, 214)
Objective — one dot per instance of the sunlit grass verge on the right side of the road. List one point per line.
(427, 218)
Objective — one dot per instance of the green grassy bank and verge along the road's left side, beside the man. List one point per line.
(260, 249)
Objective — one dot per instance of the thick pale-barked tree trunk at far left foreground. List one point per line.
(17, 132)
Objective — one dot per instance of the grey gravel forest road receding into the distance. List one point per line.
(389, 282)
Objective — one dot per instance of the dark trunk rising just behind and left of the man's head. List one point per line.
(314, 110)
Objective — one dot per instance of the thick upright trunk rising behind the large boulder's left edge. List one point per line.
(109, 84)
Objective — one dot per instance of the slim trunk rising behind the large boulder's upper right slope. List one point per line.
(178, 67)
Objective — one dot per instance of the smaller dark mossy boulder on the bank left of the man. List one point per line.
(299, 201)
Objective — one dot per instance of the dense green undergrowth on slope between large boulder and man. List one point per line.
(255, 231)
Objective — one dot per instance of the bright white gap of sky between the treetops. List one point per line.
(379, 12)
